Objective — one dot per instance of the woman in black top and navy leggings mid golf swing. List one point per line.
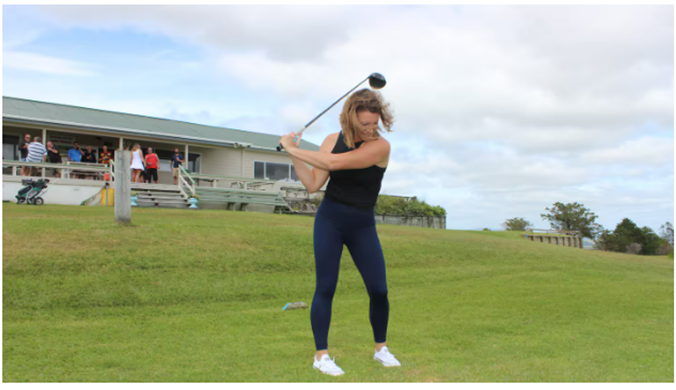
(355, 159)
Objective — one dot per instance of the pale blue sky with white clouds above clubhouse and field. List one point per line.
(501, 110)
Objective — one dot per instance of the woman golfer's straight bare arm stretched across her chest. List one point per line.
(369, 154)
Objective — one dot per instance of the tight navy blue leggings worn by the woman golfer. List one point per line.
(337, 224)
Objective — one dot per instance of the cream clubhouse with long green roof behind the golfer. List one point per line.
(217, 157)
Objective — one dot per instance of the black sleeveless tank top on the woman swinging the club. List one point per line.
(354, 187)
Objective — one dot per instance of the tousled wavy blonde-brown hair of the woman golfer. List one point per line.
(364, 100)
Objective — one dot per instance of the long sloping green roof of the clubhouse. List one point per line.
(62, 115)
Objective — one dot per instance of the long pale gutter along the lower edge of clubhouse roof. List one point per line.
(122, 130)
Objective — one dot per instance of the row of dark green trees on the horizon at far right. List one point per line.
(627, 237)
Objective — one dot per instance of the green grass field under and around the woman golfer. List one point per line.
(186, 296)
